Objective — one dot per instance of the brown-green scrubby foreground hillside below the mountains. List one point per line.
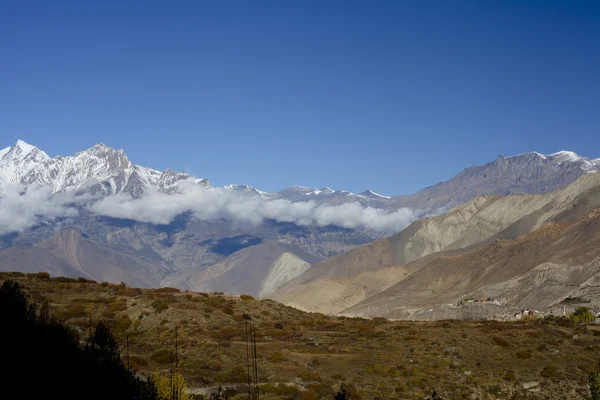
(308, 355)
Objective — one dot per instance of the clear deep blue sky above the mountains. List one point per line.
(387, 95)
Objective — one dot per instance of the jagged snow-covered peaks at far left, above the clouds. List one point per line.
(100, 169)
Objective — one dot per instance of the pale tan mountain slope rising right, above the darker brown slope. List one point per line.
(473, 224)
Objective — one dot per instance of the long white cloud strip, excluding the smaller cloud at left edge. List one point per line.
(213, 204)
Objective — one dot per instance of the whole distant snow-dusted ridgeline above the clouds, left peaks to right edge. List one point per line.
(102, 169)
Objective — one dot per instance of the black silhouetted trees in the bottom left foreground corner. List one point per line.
(46, 358)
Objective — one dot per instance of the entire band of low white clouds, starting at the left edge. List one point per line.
(21, 210)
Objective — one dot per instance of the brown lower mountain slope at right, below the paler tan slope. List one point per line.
(540, 270)
